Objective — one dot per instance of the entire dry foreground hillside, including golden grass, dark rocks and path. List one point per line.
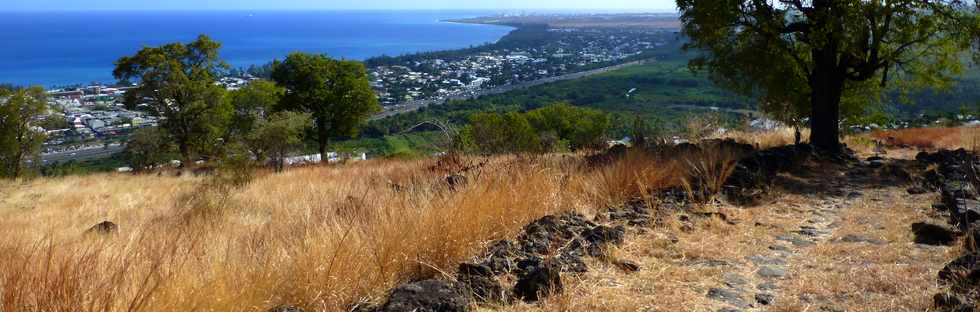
(720, 225)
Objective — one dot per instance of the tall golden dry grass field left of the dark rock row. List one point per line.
(324, 238)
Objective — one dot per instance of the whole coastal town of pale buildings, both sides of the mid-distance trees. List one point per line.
(90, 122)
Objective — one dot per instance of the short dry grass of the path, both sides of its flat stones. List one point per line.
(899, 276)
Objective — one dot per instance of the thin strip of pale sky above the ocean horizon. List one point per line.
(605, 5)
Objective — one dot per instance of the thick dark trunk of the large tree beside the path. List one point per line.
(827, 87)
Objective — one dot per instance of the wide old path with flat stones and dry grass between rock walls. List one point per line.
(832, 238)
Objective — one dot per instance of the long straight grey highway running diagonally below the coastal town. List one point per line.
(416, 105)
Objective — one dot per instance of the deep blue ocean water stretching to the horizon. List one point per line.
(63, 48)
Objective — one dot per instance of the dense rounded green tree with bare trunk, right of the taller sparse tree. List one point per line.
(336, 93)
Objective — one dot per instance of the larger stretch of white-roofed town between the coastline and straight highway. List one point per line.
(561, 51)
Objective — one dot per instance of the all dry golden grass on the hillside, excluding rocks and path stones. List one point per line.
(332, 237)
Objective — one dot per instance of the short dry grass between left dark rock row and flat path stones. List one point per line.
(675, 276)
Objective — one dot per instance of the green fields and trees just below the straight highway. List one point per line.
(664, 90)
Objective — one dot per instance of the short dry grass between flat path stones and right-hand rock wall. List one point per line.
(899, 276)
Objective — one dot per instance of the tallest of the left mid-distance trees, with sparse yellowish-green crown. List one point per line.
(178, 82)
